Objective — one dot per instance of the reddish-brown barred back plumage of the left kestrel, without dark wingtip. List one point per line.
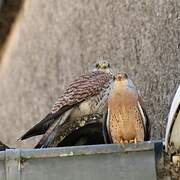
(85, 86)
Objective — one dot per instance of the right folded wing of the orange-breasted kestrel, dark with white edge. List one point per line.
(145, 118)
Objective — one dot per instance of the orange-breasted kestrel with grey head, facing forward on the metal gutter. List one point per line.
(126, 120)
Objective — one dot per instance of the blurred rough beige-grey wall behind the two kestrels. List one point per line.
(54, 41)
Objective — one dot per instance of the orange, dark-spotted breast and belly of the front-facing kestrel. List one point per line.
(123, 114)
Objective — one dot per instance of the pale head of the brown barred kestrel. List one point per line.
(103, 66)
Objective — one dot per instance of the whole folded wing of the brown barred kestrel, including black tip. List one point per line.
(81, 89)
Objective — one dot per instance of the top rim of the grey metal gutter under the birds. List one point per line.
(81, 150)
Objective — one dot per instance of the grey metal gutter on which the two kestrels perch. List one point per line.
(97, 162)
